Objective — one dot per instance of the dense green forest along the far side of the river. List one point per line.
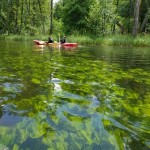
(87, 17)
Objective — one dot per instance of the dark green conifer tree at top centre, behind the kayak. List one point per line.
(74, 14)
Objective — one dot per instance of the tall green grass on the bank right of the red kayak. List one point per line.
(113, 40)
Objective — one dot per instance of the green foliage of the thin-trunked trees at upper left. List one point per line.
(21, 17)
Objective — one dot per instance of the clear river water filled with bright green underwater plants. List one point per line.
(85, 98)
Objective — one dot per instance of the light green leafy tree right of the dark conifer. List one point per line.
(101, 17)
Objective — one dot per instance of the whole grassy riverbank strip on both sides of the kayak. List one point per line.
(110, 40)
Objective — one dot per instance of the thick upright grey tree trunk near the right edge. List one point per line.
(136, 17)
